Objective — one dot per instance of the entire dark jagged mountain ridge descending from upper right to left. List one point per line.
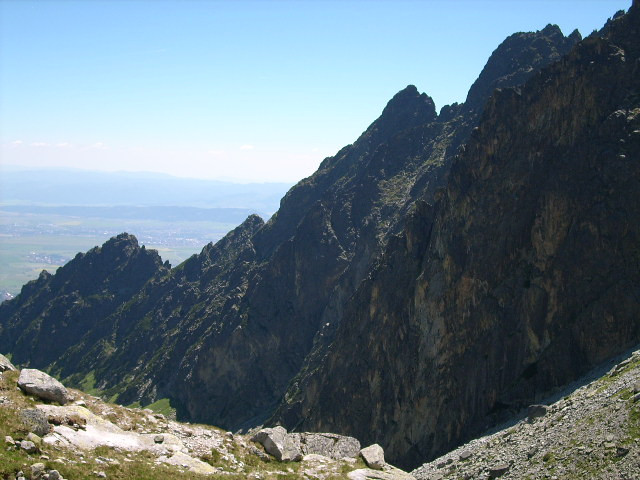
(400, 294)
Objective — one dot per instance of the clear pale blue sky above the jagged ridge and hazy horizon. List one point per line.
(249, 90)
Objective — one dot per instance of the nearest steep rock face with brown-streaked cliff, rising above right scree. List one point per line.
(521, 277)
